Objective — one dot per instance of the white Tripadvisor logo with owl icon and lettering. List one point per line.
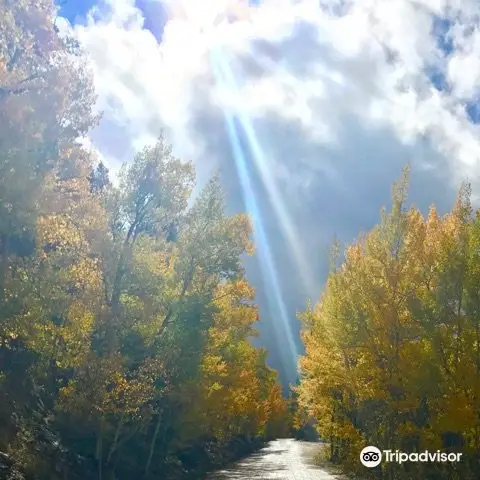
(372, 456)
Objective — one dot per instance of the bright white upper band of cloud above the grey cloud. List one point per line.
(142, 84)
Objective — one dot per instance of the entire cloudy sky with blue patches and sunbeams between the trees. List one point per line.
(310, 109)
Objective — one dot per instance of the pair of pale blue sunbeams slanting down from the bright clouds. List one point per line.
(240, 125)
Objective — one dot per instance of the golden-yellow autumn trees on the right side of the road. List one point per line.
(390, 347)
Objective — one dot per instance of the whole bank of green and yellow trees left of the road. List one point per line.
(124, 313)
